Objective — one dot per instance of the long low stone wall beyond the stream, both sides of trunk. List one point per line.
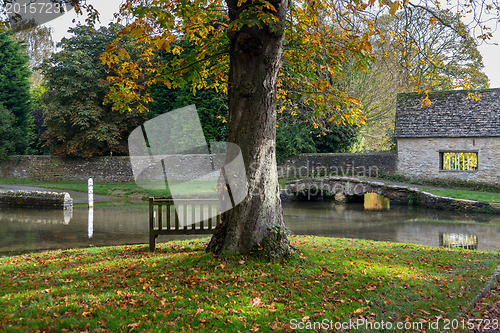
(118, 169)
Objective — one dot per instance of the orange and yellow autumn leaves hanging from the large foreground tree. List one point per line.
(321, 37)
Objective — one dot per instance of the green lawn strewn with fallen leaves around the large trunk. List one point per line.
(181, 288)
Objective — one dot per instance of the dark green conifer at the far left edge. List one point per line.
(15, 89)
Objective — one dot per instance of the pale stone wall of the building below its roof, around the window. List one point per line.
(418, 158)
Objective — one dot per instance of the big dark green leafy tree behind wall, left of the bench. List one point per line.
(77, 120)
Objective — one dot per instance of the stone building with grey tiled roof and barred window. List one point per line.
(457, 137)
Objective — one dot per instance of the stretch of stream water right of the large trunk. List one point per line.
(402, 224)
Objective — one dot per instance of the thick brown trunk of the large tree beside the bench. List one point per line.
(255, 226)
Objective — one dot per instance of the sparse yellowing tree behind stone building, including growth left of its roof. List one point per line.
(451, 59)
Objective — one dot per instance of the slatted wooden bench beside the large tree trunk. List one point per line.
(164, 217)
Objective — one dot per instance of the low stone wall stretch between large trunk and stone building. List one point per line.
(360, 165)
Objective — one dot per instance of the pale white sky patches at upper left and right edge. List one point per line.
(106, 9)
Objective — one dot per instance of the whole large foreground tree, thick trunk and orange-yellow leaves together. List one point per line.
(239, 48)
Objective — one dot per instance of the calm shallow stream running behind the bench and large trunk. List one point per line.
(23, 230)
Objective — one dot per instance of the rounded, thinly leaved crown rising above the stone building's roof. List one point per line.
(431, 55)
